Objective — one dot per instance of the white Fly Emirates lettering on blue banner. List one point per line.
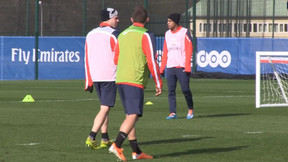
(17, 54)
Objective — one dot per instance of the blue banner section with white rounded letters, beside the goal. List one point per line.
(234, 55)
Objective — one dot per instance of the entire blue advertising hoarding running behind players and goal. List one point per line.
(61, 58)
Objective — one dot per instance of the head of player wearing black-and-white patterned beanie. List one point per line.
(110, 16)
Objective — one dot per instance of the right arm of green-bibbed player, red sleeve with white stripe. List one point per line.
(148, 47)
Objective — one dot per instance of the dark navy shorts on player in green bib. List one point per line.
(132, 99)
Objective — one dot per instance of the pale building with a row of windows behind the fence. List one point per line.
(241, 18)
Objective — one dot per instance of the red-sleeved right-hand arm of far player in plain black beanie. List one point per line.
(188, 52)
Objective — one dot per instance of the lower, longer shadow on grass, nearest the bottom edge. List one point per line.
(201, 151)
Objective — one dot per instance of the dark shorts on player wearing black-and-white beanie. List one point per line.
(106, 92)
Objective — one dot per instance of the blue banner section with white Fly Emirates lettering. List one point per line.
(58, 58)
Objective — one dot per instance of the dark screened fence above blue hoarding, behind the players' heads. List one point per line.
(76, 17)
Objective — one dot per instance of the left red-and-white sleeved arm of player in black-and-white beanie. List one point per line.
(88, 80)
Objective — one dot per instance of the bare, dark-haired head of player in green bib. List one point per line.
(140, 15)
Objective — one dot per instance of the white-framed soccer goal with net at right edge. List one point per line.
(271, 79)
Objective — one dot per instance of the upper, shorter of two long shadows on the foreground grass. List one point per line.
(176, 140)
